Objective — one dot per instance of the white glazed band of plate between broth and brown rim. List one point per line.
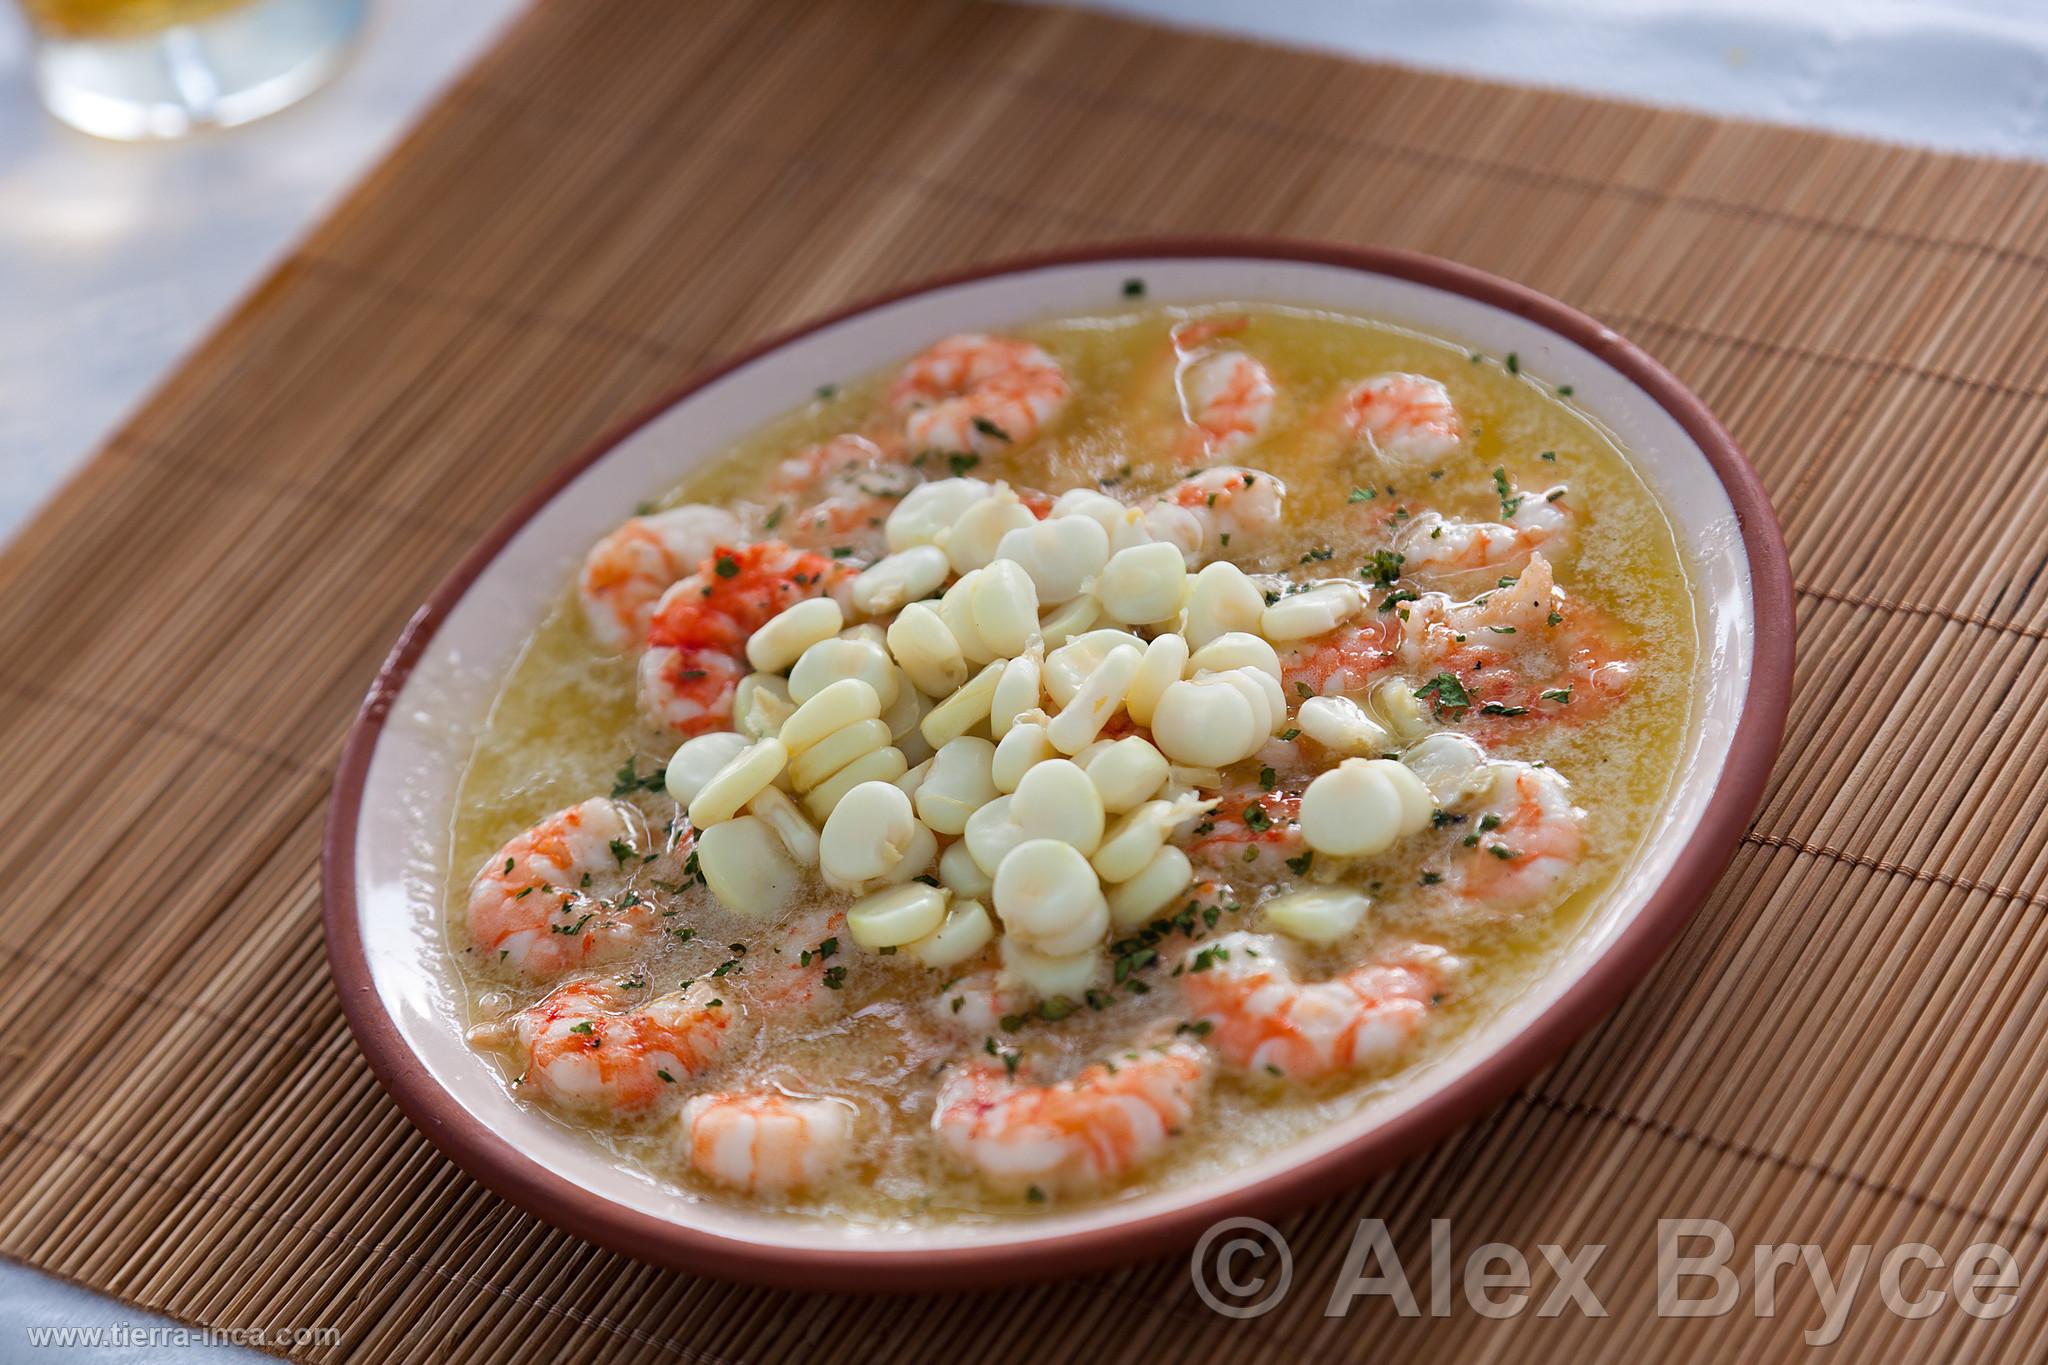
(413, 775)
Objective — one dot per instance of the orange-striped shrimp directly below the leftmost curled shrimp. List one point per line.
(589, 1051)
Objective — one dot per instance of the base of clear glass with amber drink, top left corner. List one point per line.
(163, 69)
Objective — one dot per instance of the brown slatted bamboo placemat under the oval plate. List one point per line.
(1844, 1049)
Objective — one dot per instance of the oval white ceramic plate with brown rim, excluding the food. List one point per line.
(388, 830)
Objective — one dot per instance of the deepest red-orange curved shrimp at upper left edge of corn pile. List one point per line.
(699, 631)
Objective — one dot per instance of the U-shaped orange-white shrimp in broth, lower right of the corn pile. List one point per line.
(1263, 1020)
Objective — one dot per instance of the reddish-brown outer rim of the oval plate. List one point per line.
(1699, 867)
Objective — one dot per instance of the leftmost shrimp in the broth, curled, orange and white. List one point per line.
(531, 908)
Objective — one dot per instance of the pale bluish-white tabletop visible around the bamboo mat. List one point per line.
(118, 259)
